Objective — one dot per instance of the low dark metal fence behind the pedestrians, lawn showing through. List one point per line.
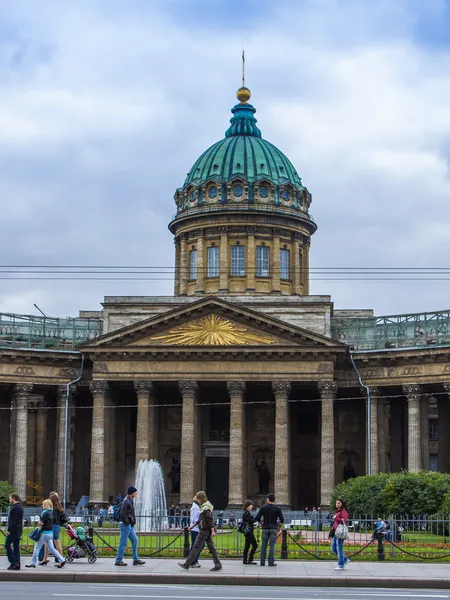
(304, 536)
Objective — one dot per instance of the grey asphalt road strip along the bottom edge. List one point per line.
(80, 591)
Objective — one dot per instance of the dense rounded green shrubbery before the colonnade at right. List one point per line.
(400, 493)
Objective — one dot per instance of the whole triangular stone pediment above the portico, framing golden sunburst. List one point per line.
(212, 322)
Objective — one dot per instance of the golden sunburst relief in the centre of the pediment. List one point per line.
(211, 331)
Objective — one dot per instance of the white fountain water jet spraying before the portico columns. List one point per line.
(151, 505)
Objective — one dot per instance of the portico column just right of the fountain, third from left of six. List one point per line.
(190, 442)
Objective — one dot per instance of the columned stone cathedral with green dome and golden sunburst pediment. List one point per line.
(241, 382)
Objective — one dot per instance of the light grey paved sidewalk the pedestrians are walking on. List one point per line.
(289, 573)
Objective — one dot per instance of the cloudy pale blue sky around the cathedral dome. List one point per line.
(106, 104)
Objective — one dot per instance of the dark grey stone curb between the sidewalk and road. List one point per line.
(223, 579)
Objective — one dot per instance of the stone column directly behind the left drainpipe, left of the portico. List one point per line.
(61, 441)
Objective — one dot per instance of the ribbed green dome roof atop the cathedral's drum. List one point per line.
(243, 154)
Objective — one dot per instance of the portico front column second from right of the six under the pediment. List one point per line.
(282, 481)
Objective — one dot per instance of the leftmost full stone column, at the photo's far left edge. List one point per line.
(22, 394)
